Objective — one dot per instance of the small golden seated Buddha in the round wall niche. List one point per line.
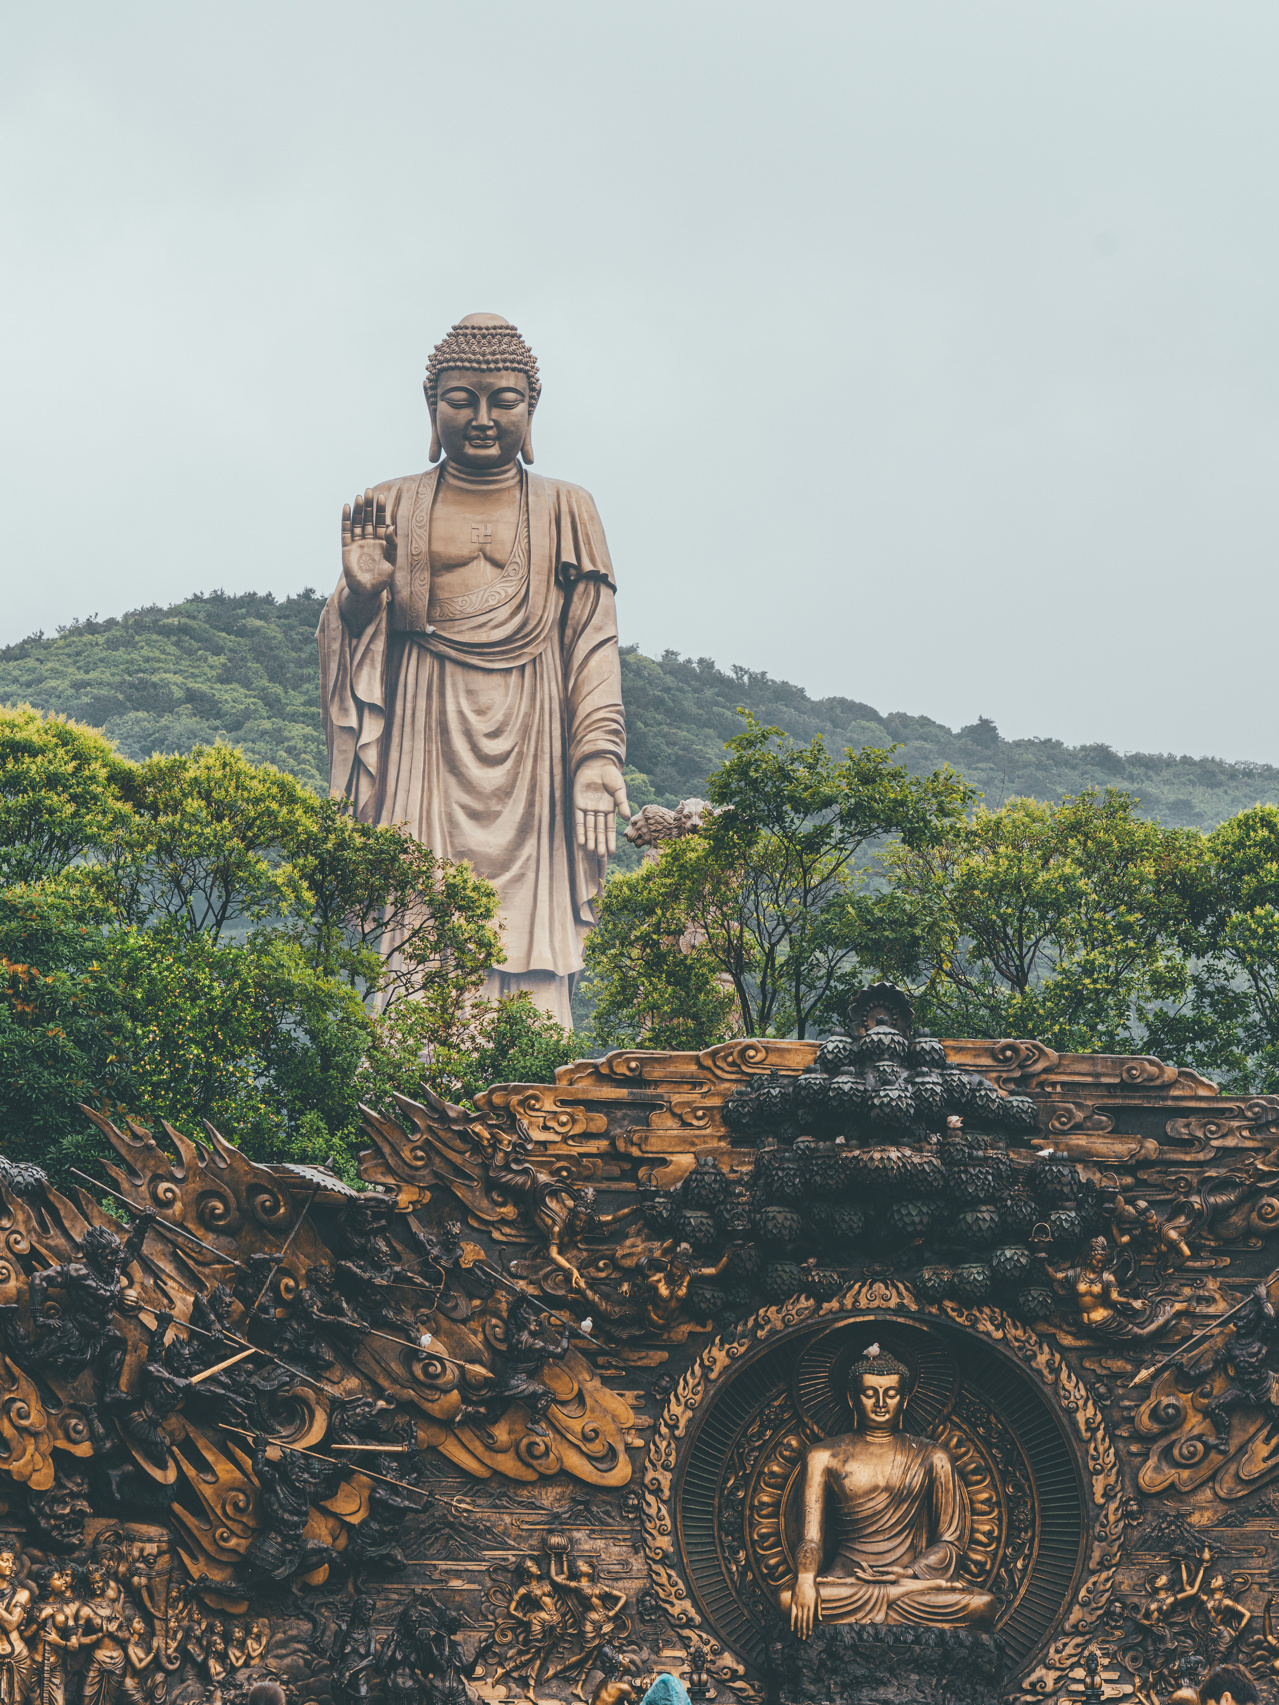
(898, 1511)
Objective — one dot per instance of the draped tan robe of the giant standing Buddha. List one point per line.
(468, 717)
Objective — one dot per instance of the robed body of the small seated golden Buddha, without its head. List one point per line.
(898, 1510)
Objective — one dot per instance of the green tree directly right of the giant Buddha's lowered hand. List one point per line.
(763, 903)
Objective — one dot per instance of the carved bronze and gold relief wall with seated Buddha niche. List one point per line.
(562, 1401)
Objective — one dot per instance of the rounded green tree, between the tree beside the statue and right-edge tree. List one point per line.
(1055, 922)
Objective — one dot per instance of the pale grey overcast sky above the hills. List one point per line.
(920, 352)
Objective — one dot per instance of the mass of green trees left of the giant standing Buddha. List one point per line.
(199, 939)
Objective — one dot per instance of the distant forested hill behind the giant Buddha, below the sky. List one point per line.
(245, 669)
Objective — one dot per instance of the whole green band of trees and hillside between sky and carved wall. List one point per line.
(168, 896)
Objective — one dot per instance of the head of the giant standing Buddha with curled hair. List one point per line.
(482, 388)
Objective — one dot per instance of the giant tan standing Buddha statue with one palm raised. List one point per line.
(470, 668)
